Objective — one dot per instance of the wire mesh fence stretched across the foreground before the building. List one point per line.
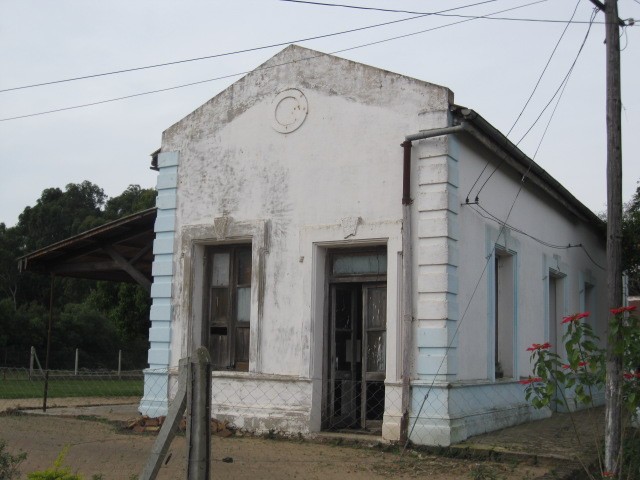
(263, 408)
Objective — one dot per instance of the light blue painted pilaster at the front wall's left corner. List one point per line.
(155, 400)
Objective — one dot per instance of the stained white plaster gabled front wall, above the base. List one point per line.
(344, 161)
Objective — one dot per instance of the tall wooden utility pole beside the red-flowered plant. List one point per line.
(613, 397)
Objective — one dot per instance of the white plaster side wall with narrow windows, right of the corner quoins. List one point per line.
(541, 217)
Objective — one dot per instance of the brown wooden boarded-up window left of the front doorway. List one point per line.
(228, 305)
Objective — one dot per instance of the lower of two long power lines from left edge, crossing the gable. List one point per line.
(176, 87)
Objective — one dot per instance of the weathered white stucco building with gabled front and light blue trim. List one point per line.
(280, 246)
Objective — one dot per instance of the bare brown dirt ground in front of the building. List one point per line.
(105, 450)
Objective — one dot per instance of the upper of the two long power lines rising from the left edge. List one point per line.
(236, 52)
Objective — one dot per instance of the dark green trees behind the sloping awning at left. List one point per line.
(99, 318)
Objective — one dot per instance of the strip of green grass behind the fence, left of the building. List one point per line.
(19, 386)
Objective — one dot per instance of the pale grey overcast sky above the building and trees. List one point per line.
(491, 65)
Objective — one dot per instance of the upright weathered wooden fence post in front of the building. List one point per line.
(199, 417)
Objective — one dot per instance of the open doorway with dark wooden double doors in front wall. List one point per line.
(356, 347)
